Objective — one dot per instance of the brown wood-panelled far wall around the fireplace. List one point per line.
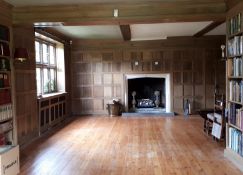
(98, 70)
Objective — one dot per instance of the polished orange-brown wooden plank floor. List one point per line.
(127, 146)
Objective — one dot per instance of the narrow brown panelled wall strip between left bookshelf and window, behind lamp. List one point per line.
(25, 83)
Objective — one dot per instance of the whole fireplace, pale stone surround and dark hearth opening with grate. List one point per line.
(147, 92)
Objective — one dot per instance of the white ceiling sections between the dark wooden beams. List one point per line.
(139, 31)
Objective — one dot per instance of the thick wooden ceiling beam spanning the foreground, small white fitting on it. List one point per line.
(129, 13)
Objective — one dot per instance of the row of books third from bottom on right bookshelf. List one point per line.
(236, 91)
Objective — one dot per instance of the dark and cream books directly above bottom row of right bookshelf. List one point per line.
(236, 115)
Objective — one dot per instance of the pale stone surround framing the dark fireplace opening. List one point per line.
(167, 87)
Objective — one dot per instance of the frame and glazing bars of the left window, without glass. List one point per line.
(41, 65)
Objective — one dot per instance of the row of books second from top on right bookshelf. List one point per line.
(235, 46)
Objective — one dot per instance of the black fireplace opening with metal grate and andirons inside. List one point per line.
(146, 92)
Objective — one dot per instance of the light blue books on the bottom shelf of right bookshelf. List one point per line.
(236, 140)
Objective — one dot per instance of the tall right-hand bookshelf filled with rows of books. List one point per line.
(234, 87)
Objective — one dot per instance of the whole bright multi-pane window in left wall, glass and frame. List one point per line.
(46, 67)
